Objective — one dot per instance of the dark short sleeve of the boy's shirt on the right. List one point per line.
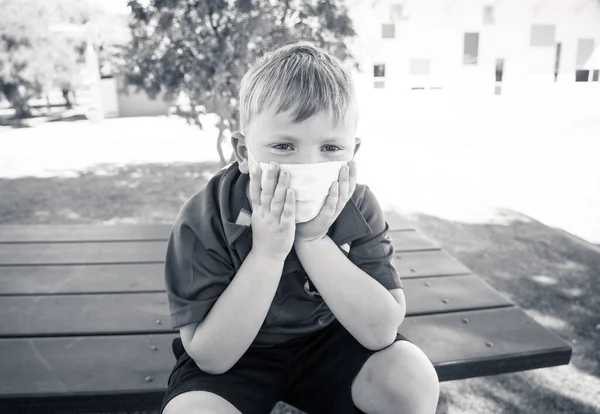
(374, 253)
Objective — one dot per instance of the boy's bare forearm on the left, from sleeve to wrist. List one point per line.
(231, 325)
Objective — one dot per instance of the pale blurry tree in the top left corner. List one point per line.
(32, 57)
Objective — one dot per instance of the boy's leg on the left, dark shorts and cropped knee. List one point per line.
(252, 385)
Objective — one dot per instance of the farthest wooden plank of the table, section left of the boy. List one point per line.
(82, 232)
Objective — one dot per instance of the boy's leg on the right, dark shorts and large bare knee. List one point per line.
(336, 374)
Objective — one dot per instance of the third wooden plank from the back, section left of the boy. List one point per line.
(35, 280)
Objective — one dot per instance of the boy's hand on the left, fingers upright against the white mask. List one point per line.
(273, 212)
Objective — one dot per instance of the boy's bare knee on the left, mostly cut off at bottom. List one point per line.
(199, 402)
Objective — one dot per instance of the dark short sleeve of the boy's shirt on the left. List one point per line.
(197, 271)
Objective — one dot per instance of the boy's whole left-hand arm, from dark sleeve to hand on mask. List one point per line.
(204, 287)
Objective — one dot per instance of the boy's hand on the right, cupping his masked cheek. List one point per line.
(339, 194)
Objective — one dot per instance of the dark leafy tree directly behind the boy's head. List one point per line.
(204, 47)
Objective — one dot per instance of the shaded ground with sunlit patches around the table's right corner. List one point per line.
(553, 276)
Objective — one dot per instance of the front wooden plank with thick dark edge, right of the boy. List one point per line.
(485, 342)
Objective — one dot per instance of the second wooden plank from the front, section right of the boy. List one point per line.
(450, 294)
